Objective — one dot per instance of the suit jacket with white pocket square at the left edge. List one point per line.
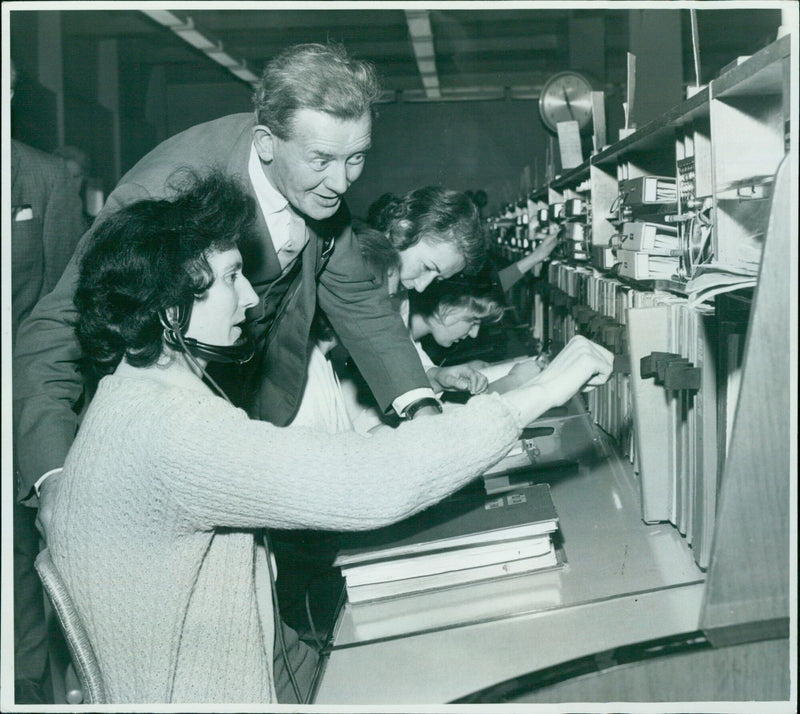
(46, 224)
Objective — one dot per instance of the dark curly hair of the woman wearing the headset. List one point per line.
(151, 256)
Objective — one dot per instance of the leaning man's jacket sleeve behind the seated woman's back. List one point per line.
(47, 381)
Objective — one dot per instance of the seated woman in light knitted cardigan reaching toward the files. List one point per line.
(156, 515)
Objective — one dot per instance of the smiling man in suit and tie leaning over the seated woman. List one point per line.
(298, 155)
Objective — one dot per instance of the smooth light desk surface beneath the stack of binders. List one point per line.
(624, 581)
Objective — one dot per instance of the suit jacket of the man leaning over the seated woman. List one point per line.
(357, 306)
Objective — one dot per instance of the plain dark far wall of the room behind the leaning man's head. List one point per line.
(462, 145)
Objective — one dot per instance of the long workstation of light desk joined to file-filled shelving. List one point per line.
(697, 455)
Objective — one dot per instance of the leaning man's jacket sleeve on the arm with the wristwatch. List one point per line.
(358, 308)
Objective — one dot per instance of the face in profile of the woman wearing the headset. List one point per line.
(216, 316)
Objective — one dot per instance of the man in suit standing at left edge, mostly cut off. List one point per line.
(46, 224)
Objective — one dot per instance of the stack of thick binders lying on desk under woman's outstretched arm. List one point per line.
(467, 538)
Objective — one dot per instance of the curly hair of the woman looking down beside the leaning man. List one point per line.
(437, 215)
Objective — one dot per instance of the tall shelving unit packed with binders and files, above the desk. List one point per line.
(723, 147)
